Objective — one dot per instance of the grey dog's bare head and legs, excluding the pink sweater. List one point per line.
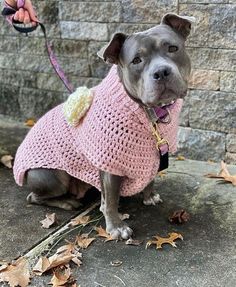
(154, 69)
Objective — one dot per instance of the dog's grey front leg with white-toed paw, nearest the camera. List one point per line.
(110, 185)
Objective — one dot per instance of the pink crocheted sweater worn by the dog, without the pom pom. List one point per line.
(114, 136)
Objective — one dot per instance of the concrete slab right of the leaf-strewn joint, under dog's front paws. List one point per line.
(206, 257)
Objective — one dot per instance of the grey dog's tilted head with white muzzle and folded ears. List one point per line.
(153, 65)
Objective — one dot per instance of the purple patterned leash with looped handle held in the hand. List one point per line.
(10, 11)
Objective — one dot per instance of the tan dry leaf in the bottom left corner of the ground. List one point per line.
(16, 274)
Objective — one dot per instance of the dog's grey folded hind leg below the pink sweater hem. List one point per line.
(48, 187)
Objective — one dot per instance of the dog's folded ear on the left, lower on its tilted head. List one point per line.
(110, 53)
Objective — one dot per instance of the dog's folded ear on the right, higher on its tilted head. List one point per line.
(181, 24)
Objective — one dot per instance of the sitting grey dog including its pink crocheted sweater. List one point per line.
(152, 69)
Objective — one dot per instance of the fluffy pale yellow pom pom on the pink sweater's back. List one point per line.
(77, 105)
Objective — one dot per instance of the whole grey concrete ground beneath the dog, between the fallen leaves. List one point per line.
(206, 257)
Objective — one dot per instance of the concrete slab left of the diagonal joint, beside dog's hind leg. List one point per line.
(20, 226)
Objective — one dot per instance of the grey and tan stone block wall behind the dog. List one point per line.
(78, 29)
